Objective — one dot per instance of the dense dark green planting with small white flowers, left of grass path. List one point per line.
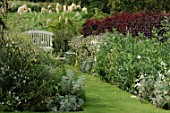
(30, 77)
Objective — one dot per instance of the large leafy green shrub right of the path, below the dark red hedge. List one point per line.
(130, 55)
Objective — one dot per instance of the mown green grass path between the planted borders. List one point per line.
(105, 98)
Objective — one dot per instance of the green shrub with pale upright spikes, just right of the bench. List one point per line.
(65, 29)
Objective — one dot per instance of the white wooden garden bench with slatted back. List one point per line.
(42, 38)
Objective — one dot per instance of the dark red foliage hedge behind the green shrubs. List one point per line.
(124, 22)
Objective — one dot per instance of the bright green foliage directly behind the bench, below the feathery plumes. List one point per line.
(30, 21)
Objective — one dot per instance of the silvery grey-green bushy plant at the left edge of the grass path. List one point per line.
(71, 94)
